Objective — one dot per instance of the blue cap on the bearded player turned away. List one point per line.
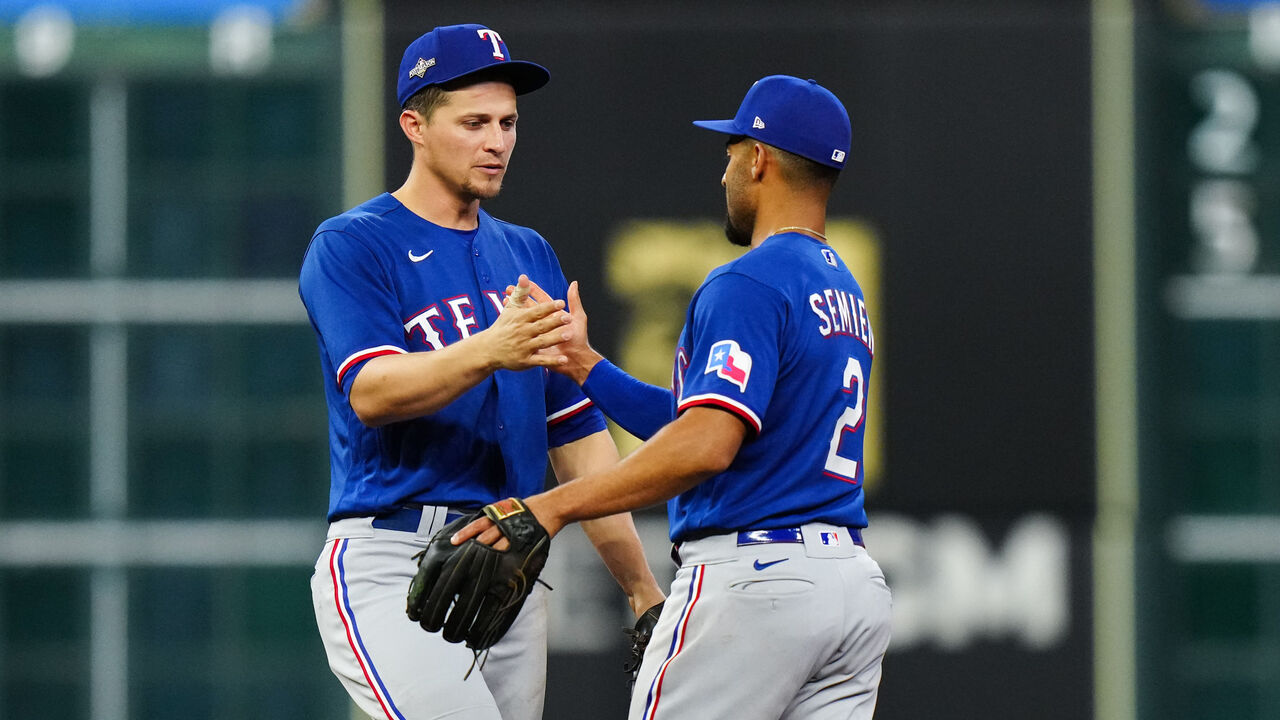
(798, 116)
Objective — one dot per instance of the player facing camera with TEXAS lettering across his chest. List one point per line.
(438, 393)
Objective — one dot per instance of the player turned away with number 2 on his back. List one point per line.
(778, 612)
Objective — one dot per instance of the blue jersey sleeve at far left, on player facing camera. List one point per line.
(351, 304)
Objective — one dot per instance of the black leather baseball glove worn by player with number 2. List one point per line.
(472, 593)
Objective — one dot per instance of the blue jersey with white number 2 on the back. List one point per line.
(781, 339)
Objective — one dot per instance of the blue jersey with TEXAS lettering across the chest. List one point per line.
(380, 280)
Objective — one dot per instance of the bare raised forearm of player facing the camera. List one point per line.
(401, 388)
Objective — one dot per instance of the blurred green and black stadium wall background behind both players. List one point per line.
(1068, 212)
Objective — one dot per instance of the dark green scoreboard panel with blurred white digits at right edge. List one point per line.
(1209, 359)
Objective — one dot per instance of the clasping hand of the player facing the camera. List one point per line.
(523, 332)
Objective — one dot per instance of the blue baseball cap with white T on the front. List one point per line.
(450, 53)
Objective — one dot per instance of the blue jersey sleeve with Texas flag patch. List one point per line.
(735, 339)
